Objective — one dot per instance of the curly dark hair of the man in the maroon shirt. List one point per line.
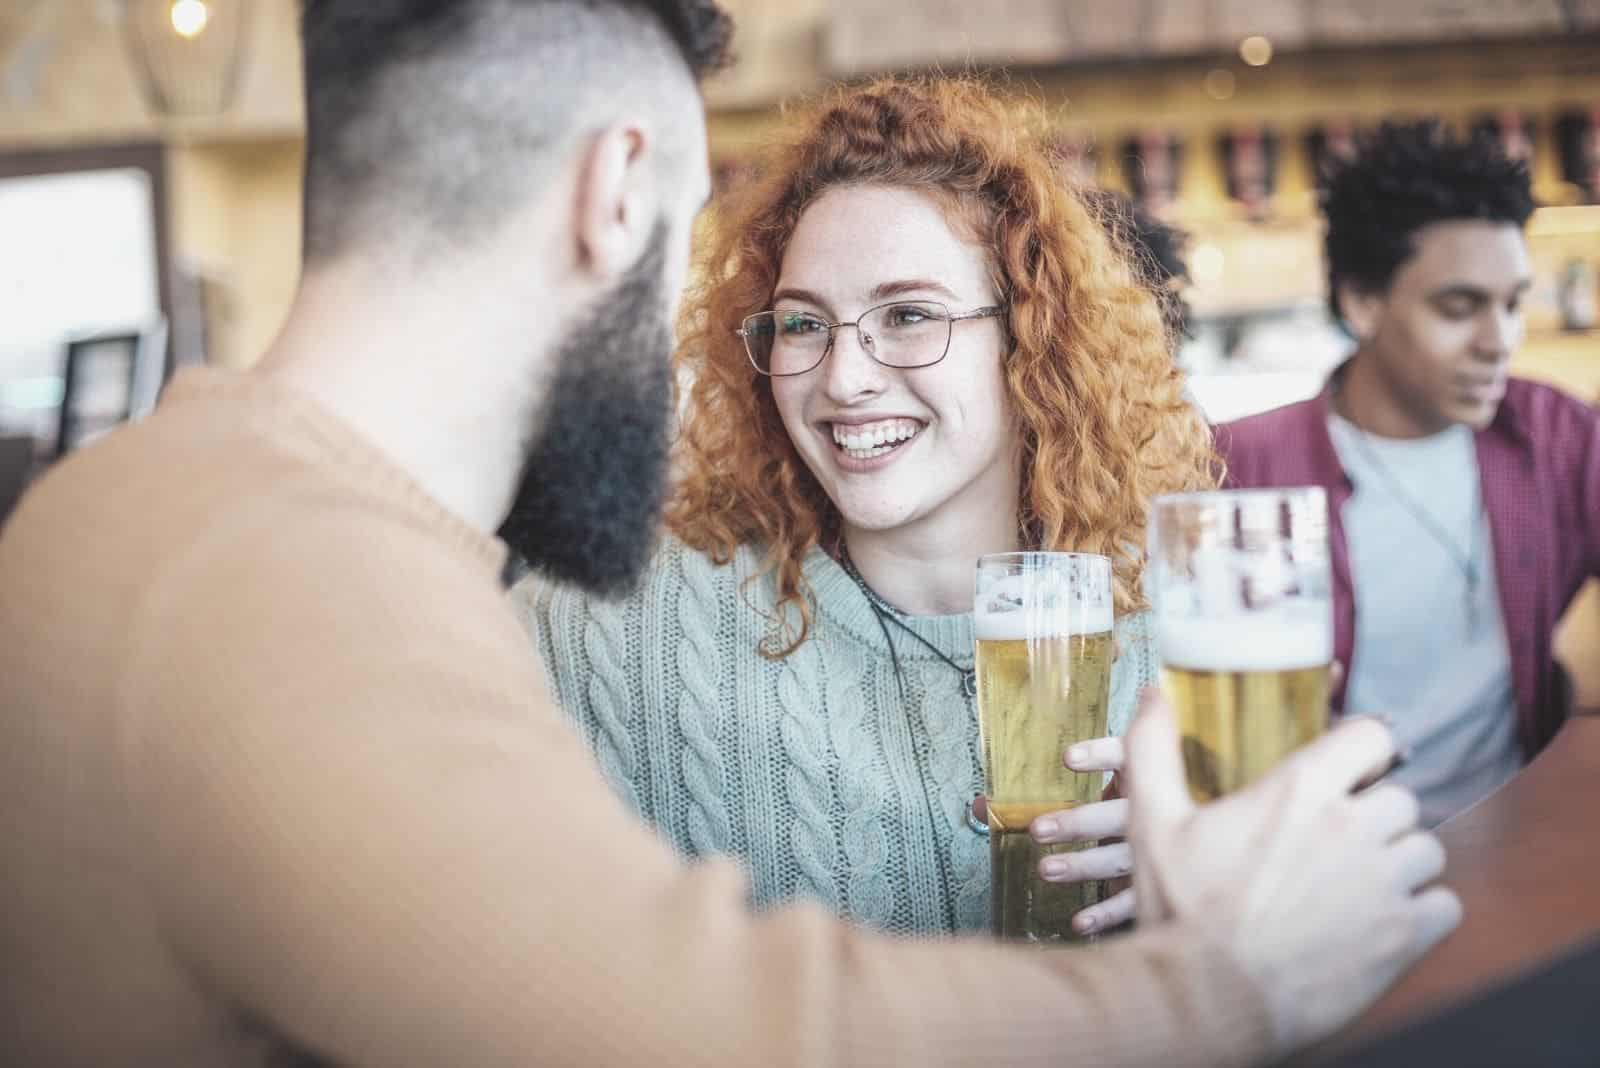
(1404, 178)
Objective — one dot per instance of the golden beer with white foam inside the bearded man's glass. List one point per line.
(1246, 698)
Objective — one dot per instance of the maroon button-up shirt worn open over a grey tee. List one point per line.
(1540, 469)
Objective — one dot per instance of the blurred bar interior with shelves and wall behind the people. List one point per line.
(177, 129)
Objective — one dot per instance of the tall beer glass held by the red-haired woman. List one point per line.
(1044, 628)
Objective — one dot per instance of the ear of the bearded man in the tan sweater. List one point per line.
(617, 199)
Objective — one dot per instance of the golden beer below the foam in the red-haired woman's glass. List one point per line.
(1036, 698)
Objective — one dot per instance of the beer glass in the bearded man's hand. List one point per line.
(1244, 620)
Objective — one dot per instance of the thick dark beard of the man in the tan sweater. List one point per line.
(596, 476)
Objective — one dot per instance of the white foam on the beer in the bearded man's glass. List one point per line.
(1281, 640)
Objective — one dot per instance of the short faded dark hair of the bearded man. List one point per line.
(433, 118)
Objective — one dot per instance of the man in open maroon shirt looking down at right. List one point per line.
(1465, 501)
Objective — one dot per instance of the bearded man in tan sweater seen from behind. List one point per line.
(279, 781)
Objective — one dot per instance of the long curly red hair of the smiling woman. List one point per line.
(1102, 408)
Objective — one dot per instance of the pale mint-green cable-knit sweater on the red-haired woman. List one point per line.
(810, 770)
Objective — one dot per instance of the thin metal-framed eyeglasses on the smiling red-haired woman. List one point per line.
(900, 335)
